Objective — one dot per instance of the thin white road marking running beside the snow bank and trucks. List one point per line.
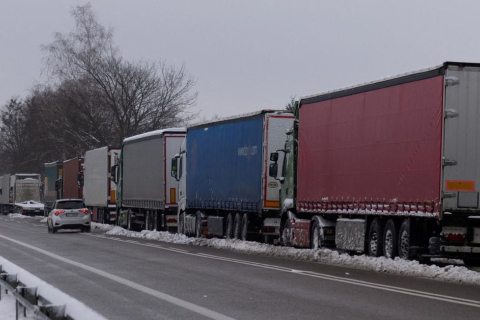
(373, 285)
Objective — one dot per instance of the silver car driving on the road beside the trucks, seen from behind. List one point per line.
(69, 214)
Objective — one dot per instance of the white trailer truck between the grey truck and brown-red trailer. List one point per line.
(98, 186)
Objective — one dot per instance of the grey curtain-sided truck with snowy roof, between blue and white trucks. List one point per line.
(146, 194)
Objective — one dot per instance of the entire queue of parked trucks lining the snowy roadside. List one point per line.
(390, 167)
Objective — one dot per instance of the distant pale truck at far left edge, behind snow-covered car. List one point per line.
(17, 188)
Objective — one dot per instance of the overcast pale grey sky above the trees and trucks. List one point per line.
(253, 54)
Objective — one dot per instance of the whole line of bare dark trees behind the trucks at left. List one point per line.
(94, 98)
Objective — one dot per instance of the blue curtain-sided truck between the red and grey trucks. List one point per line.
(224, 187)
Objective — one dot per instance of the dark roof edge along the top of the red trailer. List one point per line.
(385, 82)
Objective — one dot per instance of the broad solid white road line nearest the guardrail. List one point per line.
(163, 296)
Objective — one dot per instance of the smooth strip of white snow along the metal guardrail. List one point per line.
(74, 308)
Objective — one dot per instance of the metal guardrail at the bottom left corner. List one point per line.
(29, 299)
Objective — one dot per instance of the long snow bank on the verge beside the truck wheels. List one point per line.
(398, 266)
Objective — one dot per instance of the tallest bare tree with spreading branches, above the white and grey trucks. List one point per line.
(136, 96)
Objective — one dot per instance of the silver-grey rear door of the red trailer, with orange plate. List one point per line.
(461, 155)
